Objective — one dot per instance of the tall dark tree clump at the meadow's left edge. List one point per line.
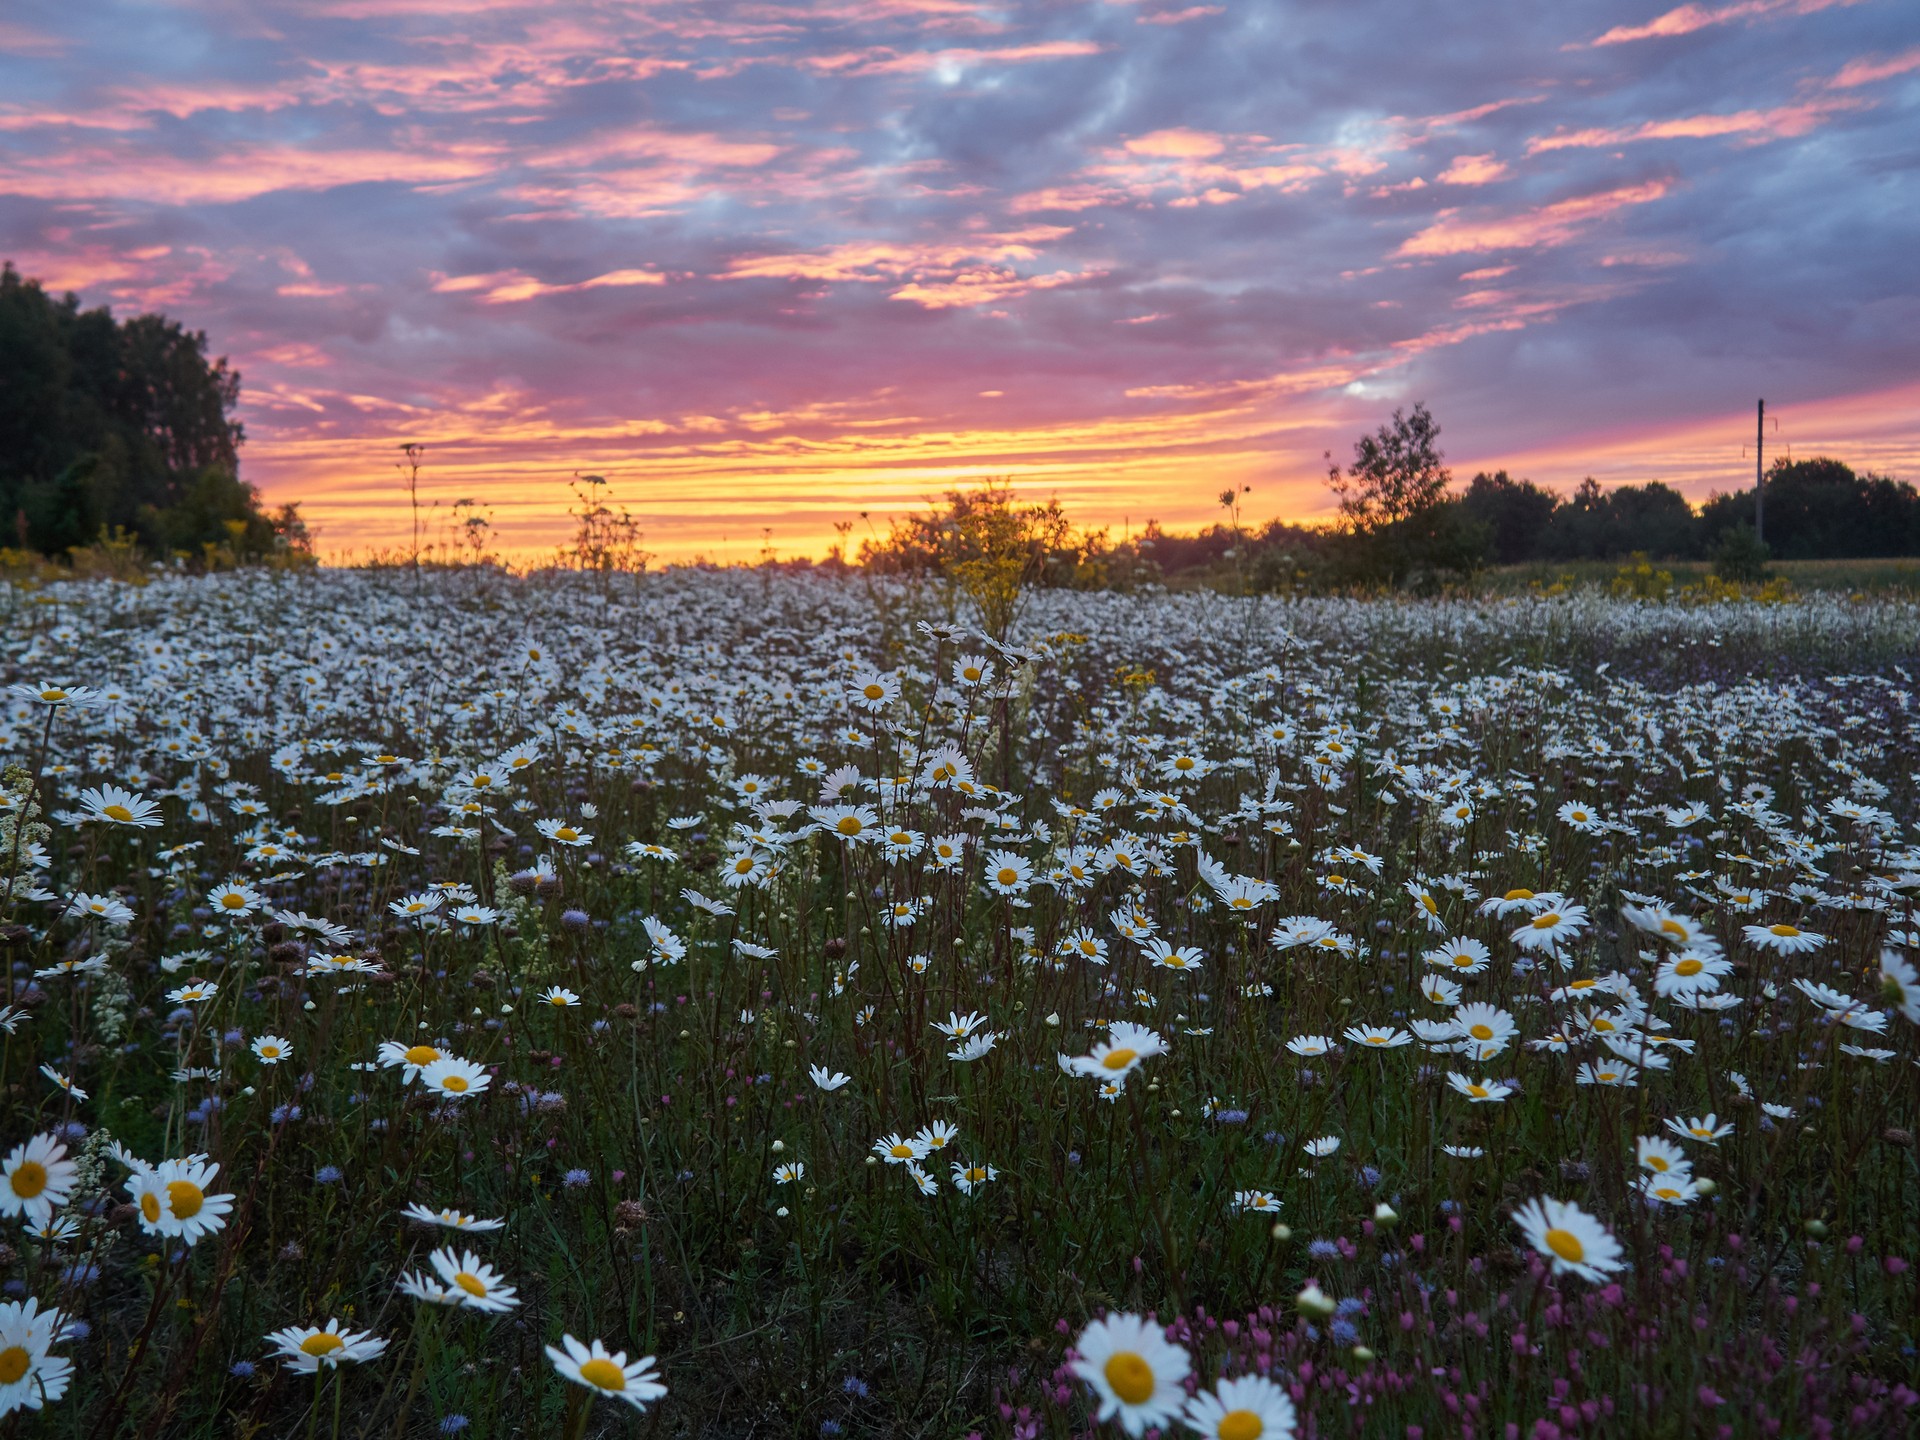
(122, 431)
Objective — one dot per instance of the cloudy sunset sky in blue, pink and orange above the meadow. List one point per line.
(775, 266)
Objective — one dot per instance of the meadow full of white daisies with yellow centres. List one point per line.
(740, 1003)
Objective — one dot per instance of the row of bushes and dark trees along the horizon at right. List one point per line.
(1406, 525)
